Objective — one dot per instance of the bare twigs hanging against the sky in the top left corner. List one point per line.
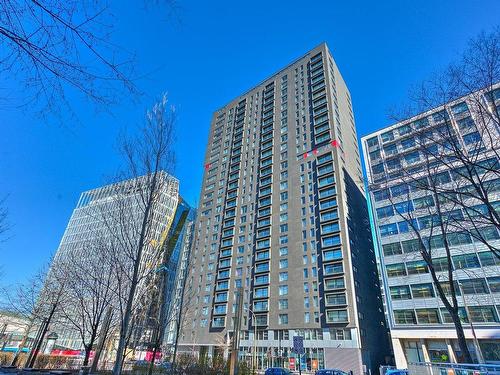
(56, 47)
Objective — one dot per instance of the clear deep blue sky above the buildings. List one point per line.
(209, 53)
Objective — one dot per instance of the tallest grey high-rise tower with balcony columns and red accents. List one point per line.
(283, 216)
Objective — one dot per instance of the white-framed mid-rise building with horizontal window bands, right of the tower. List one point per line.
(420, 174)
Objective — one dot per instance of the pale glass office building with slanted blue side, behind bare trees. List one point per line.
(115, 212)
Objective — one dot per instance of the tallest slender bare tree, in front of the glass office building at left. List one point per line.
(136, 225)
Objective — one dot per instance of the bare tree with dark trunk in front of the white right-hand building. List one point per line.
(452, 168)
